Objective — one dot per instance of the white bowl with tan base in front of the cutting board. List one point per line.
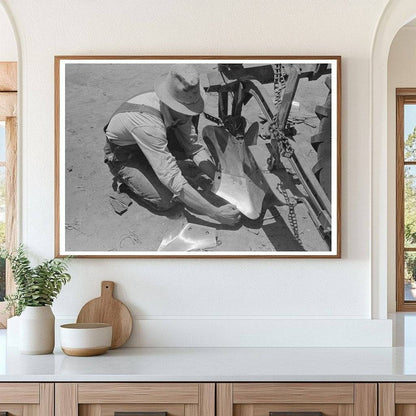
(84, 340)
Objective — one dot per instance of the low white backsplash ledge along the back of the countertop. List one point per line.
(258, 332)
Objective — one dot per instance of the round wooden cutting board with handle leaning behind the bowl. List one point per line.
(107, 309)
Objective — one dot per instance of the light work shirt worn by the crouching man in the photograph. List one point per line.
(148, 131)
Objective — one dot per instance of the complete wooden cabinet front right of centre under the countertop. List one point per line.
(296, 399)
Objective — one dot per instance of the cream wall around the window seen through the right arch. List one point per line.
(401, 74)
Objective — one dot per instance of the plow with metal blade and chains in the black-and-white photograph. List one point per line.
(264, 160)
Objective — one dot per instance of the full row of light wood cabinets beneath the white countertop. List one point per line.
(208, 399)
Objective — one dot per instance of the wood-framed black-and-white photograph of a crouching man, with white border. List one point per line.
(198, 156)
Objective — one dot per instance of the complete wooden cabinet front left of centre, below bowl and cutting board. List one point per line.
(143, 399)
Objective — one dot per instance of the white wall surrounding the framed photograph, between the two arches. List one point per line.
(181, 301)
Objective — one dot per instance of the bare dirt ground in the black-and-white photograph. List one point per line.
(93, 93)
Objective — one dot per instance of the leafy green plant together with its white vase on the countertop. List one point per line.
(36, 289)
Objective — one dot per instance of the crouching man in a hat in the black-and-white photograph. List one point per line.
(144, 132)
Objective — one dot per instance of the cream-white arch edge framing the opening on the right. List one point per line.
(397, 14)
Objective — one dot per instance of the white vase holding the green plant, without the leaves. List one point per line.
(37, 330)
